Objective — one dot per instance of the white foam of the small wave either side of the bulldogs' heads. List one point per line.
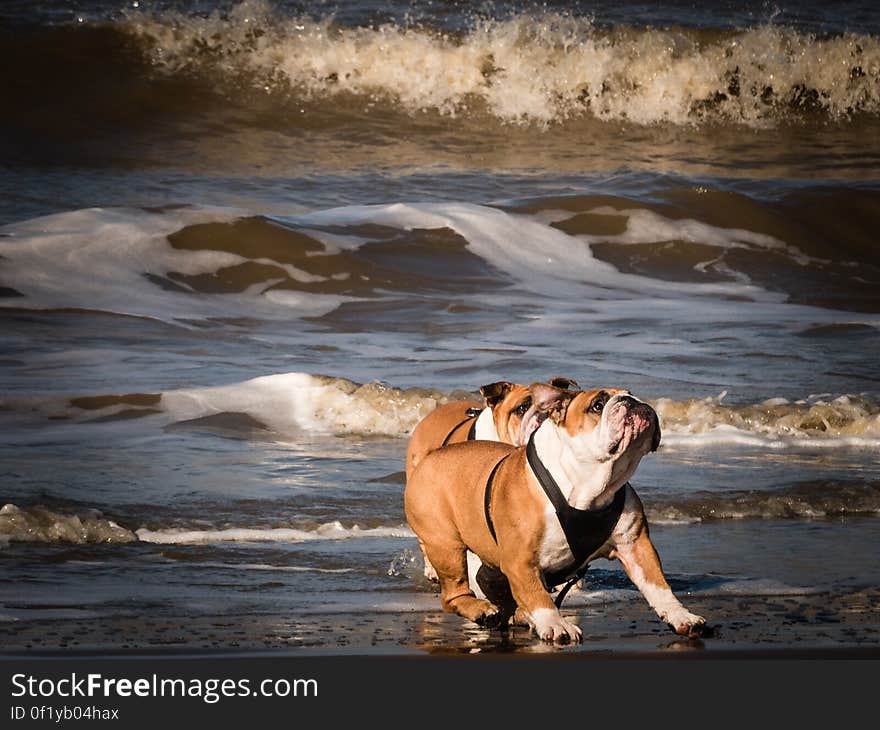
(291, 401)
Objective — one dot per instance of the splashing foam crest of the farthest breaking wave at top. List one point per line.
(532, 68)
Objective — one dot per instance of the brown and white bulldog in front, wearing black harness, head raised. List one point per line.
(508, 505)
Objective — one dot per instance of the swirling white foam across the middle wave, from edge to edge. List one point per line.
(195, 265)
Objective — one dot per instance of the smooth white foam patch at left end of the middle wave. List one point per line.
(100, 259)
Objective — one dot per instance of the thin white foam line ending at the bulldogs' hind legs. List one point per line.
(328, 531)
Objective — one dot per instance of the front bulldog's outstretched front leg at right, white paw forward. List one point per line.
(642, 565)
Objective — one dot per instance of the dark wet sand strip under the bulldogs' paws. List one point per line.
(817, 625)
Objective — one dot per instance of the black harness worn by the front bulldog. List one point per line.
(585, 530)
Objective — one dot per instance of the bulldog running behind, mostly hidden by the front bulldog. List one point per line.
(507, 415)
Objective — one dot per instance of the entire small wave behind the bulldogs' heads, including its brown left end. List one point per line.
(287, 405)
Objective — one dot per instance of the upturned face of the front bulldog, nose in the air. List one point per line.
(606, 426)
